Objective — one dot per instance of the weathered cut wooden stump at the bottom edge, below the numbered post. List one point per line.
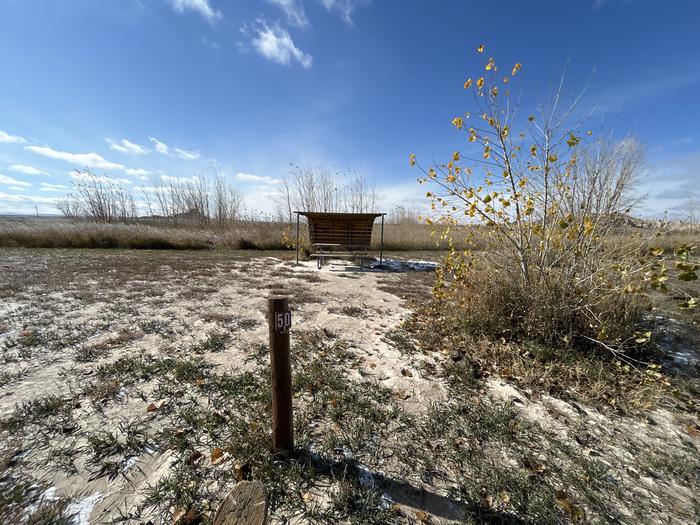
(246, 504)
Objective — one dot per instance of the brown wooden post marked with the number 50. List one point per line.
(280, 320)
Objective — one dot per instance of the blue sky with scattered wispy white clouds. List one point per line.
(133, 88)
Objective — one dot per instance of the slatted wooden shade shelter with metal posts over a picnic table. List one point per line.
(340, 235)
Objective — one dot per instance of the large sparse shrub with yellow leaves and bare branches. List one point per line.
(549, 199)
